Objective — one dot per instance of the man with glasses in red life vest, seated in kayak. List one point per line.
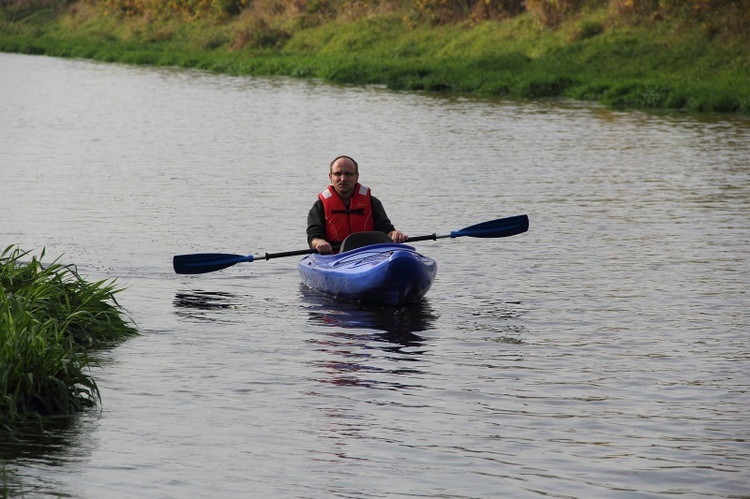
(346, 207)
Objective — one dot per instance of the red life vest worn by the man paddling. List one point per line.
(342, 221)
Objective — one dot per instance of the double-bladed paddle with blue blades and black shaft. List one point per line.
(200, 263)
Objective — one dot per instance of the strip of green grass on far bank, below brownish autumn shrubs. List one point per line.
(672, 64)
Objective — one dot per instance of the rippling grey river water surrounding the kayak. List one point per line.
(604, 353)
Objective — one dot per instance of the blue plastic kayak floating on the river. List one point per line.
(388, 274)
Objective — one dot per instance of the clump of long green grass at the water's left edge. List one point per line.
(50, 320)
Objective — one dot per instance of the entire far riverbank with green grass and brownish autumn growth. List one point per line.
(656, 57)
